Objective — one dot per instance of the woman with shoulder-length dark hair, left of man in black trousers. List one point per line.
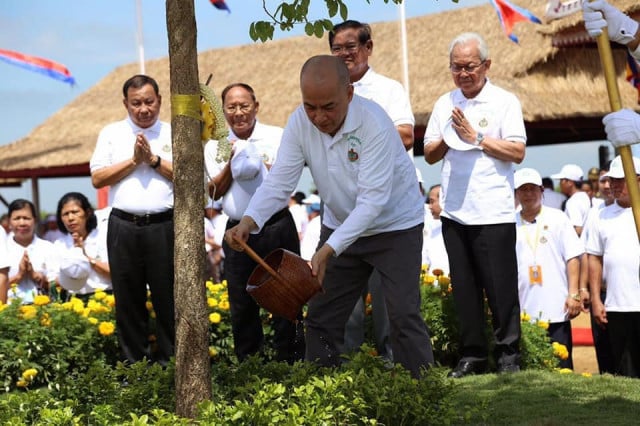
(84, 263)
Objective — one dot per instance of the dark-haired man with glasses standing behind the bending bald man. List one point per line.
(351, 41)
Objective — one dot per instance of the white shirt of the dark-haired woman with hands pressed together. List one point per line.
(95, 245)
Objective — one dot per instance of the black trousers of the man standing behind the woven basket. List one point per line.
(248, 337)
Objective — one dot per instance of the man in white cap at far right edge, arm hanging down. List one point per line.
(614, 257)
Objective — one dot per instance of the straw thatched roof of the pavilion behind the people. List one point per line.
(562, 90)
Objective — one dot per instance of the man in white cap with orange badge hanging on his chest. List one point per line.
(549, 252)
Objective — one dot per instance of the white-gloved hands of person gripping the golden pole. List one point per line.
(623, 126)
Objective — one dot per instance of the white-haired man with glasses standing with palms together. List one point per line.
(478, 131)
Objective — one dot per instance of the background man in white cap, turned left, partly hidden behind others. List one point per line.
(578, 202)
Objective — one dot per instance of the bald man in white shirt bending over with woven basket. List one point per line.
(372, 218)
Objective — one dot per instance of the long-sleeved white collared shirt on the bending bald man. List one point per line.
(363, 175)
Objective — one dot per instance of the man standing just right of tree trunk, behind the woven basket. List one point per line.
(236, 168)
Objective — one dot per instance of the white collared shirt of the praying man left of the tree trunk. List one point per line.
(144, 190)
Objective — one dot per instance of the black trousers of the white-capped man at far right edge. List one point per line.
(624, 333)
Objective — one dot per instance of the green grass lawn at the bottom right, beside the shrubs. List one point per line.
(551, 398)
